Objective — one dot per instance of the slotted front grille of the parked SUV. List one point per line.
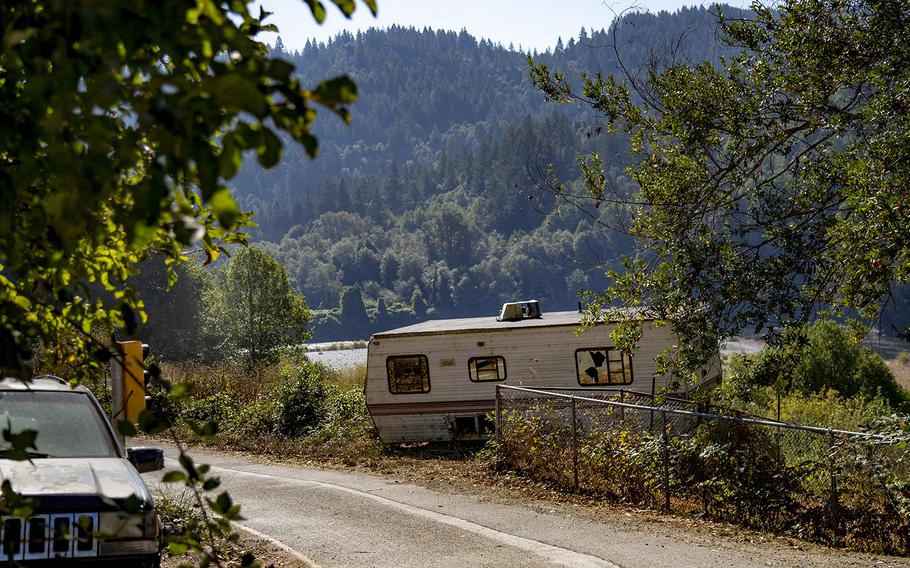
(48, 536)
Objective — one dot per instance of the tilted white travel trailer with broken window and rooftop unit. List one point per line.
(436, 380)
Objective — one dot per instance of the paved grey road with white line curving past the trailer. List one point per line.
(343, 519)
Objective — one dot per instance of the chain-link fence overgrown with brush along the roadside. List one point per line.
(832, 486)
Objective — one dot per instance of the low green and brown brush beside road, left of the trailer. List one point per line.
(292, 408)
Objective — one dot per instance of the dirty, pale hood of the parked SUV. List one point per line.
(107, 478)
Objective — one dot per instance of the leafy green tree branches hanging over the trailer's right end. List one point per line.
(772, 186)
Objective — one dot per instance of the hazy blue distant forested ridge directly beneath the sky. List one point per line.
(426, 91)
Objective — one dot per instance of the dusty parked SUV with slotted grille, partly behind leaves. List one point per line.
(81, 478)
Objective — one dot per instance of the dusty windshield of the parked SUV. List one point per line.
(68, 423)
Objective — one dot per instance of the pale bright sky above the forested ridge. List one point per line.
(532, 24)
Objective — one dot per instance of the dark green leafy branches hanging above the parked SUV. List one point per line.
(119, 127)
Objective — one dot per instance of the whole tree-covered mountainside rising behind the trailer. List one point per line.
(434, 202)
